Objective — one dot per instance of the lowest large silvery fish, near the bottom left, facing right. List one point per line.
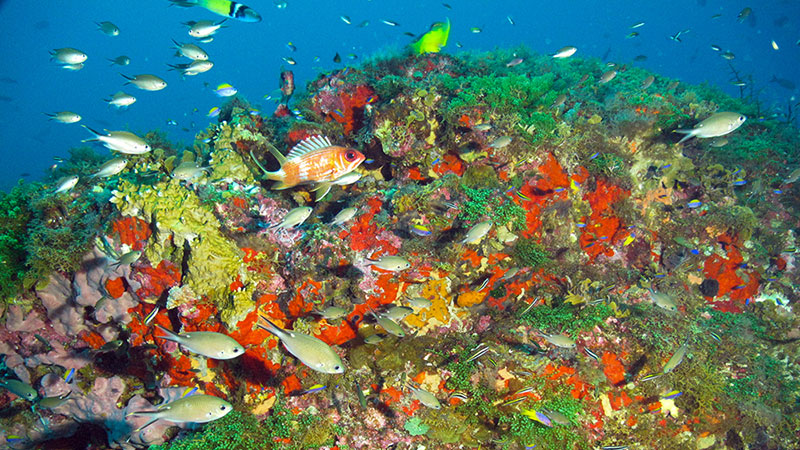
(199, 408)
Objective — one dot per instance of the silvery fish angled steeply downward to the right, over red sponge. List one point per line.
(310, 350)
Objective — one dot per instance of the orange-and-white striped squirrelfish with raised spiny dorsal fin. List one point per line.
(314, 160)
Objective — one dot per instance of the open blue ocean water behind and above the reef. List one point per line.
(250, 56)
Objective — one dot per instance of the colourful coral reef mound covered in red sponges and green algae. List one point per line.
(630, 291)
